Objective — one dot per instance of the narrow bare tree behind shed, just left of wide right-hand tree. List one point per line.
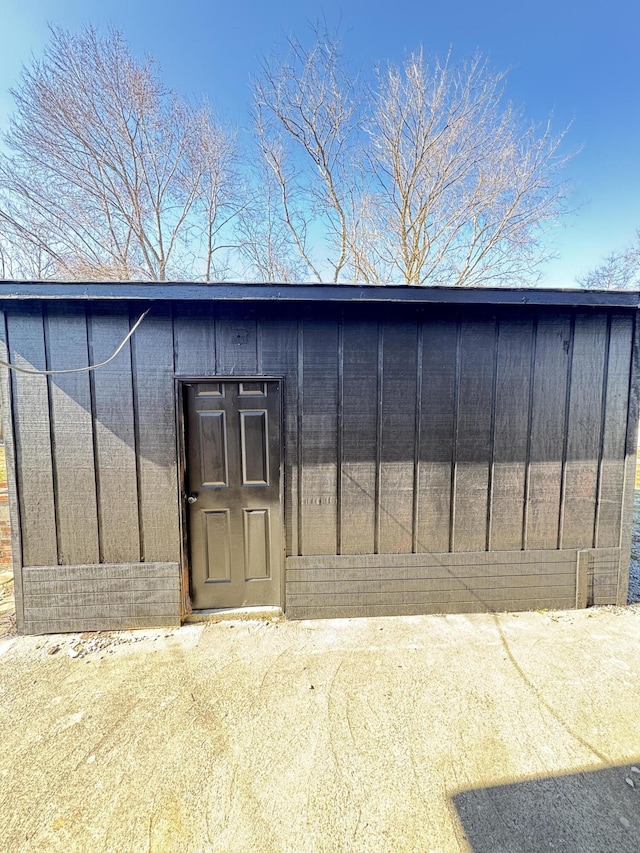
(306, 117)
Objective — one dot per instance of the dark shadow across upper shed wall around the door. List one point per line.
(490, 360)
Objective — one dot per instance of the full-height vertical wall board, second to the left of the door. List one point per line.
(115, 440)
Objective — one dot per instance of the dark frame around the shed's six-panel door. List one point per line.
(180, 383)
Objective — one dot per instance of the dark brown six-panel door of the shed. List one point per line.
(233, 493)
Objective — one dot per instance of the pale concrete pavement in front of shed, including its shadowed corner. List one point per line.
(457, 733)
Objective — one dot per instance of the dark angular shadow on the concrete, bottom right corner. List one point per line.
(588, 812)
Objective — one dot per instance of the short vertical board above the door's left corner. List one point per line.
(194, 341)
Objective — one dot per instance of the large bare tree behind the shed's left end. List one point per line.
(109, 175)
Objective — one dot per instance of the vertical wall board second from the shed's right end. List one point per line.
(584, 429)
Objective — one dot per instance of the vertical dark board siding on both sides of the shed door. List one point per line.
(454, 431)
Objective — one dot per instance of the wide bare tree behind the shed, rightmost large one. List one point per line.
(461, 188)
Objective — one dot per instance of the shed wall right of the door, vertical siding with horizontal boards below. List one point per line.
(493, 439)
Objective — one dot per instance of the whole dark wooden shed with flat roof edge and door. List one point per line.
(331, 450)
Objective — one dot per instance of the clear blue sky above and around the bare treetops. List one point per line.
(579, 61)
